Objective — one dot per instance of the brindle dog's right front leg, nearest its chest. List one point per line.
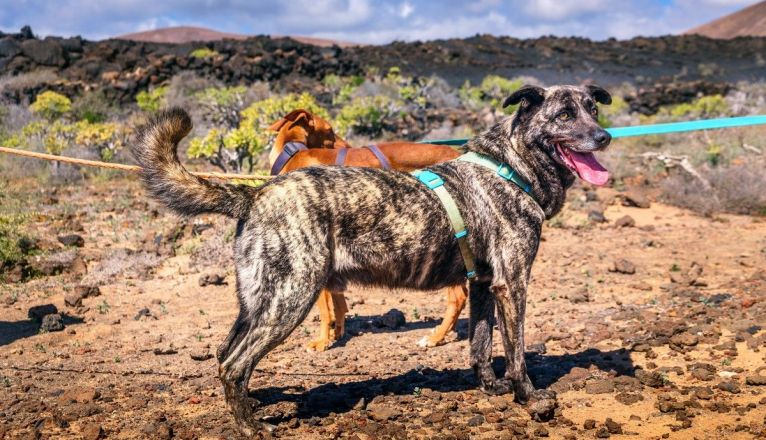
(511, 304)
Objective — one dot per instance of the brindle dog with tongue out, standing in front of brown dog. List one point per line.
(332, 226)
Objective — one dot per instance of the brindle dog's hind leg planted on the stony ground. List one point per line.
(266, 318)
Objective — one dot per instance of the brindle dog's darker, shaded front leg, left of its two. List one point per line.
(482, 307)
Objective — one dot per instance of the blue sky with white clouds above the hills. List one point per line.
(368, 21)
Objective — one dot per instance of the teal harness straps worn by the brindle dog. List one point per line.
(435, 183)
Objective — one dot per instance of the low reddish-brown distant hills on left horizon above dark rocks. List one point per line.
(189, 34)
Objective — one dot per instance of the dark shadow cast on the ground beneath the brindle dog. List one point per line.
(544, 370)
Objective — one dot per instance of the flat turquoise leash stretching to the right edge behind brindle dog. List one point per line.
(645, 130)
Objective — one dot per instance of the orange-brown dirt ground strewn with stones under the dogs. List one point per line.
(668, 343)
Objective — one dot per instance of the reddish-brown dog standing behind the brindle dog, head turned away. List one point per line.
(322, 148)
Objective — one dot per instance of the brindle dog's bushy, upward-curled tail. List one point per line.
(168, 181)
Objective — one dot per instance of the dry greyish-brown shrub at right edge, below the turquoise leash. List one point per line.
(737, 189)
